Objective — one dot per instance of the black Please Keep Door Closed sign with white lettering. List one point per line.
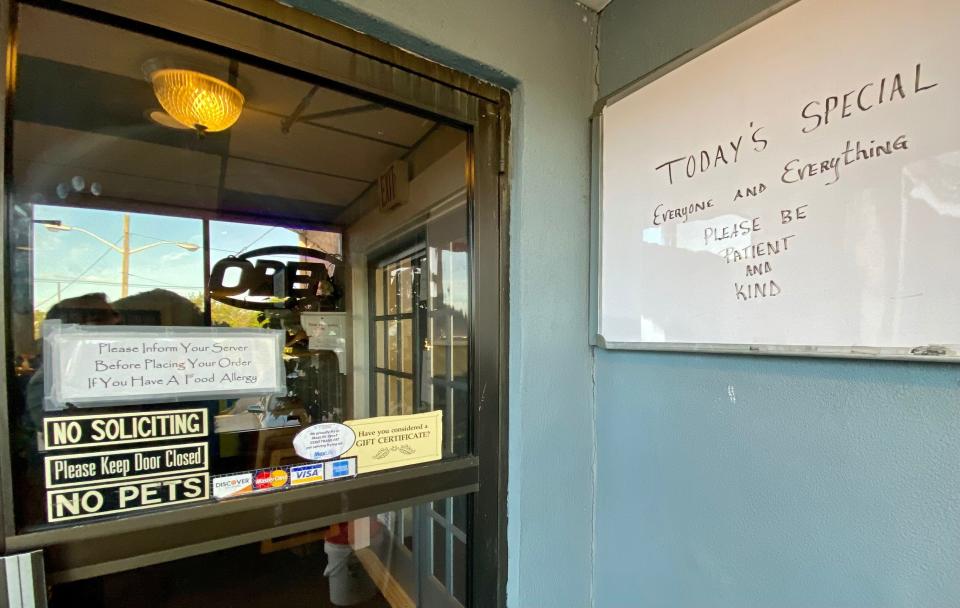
(138, 463)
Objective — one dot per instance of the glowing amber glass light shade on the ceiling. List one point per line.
(197, 100)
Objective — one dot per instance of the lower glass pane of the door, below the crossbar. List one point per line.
(353, 563)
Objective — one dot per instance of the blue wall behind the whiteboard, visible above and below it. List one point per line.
(739, 482)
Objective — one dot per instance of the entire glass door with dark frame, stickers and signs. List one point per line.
(243, 317)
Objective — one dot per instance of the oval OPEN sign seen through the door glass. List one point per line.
(307, 280)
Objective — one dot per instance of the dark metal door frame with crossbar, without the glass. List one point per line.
(375, 70)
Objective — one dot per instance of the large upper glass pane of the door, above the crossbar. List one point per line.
(119, 220)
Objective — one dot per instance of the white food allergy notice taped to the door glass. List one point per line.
(93, 365)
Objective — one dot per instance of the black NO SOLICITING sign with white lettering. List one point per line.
(70, 432)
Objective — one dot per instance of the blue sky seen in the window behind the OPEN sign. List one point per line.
(80, 264)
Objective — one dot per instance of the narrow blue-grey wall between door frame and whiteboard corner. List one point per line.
(543, 50)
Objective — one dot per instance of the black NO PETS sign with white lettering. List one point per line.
(131, 495)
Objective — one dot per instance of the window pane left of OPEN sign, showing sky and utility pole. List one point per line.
(162, 284)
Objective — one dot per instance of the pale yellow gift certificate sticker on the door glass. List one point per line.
(388, 442)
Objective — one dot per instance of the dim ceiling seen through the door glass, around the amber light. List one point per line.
(81, 109)
